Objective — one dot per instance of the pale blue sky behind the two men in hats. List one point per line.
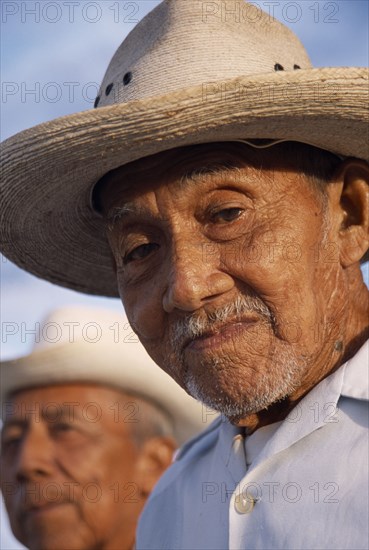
(53, 57)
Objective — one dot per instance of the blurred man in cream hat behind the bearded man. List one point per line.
(89, 426)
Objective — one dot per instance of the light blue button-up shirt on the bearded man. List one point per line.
(306, 488)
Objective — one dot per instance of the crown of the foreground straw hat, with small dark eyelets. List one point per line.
(184, 43)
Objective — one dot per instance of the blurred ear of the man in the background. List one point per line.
(154, 458)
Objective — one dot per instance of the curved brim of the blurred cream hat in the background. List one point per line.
(83, 362)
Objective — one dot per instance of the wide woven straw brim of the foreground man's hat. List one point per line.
(47, 224)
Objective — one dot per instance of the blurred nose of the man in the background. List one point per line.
(34, 458)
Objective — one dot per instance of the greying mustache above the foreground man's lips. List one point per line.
(196, 325)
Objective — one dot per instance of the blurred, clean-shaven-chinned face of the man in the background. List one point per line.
(67, 469)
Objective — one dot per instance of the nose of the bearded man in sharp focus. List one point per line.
(194, 278)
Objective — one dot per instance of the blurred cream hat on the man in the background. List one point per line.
(95, 346)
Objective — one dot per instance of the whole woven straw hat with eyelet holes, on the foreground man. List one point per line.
(190, 72)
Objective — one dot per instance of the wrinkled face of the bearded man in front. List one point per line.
(226, 275)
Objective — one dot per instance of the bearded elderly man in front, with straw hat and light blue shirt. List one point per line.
(231, 180)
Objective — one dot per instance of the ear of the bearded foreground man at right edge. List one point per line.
(352, 208)
